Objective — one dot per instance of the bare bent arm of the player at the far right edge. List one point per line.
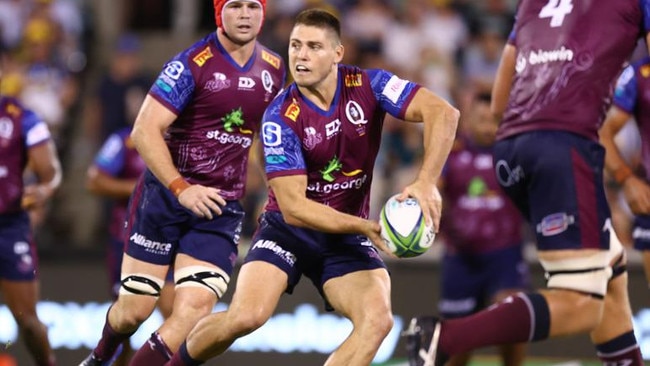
(635, 189)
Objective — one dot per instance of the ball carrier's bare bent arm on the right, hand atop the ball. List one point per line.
(440, 121)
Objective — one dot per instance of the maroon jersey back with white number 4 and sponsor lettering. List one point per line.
(568, 55)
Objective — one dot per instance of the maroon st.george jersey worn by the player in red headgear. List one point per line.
(219, 106)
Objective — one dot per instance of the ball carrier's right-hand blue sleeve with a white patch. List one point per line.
(394, 94)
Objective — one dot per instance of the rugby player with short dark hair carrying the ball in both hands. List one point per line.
(321, 138)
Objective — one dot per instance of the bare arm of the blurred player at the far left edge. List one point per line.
(44, 162)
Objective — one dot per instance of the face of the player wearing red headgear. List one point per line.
(242, 20)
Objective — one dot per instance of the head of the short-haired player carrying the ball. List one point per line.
(313, 54)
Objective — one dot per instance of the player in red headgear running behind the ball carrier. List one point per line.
(194, 132)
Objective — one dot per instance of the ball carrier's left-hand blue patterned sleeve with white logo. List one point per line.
(282, 148)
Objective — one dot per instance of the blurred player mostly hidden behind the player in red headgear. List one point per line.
(113, 175)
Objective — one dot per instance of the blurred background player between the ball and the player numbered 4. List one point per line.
(483, 262)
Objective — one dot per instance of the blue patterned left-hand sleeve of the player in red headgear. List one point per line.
(174, 86)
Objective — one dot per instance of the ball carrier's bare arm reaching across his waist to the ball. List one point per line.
(300, 211)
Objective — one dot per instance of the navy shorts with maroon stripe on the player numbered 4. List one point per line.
(556, 179)
